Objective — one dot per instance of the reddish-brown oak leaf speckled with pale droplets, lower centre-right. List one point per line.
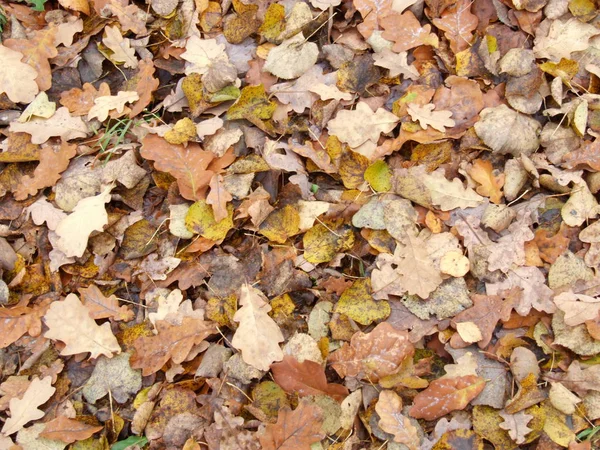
(373, 355)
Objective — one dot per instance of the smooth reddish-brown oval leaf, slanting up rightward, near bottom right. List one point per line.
(445, 395)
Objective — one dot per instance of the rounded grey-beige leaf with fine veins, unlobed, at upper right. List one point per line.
(493, 123)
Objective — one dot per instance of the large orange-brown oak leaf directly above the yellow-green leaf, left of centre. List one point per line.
(189, 165)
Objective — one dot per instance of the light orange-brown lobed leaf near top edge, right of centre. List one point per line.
(406, 32)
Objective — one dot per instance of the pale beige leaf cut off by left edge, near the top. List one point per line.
(17, 79)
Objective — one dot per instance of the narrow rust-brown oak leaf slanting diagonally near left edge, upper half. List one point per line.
(52, 163)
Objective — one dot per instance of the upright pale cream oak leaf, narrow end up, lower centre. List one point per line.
(258, 335)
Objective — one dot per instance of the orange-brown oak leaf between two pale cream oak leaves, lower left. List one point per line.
(173, 342)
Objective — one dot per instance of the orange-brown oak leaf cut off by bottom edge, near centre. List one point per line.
(294, 430)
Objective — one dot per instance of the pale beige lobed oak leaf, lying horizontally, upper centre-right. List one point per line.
(356, 127)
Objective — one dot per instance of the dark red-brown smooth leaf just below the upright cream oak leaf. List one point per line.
(305, 378)
